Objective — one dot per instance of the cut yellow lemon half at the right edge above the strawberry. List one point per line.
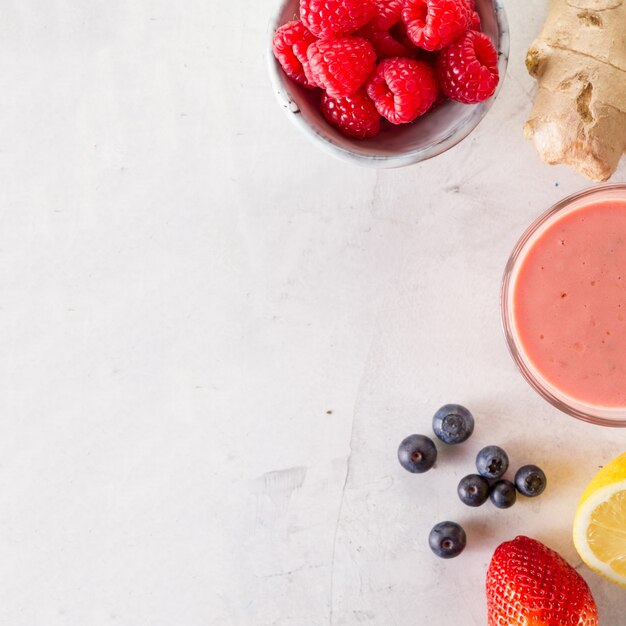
(600, 522)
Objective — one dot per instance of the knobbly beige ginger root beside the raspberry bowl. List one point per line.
(579, 61)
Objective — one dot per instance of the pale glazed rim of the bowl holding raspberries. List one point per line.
(284, 95)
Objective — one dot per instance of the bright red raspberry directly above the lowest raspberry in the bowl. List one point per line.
(341, 65)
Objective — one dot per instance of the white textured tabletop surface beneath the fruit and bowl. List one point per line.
(213, 337)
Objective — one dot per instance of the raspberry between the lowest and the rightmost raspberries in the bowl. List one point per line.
(402, 89)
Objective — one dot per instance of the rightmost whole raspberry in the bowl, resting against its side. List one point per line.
(468, 69)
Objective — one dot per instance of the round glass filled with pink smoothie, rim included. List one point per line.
(605, 208)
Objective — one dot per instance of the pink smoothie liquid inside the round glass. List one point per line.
(569, 304)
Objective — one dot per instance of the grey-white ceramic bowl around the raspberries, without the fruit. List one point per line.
(397, 146)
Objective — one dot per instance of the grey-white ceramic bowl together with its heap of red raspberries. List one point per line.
(388, 83)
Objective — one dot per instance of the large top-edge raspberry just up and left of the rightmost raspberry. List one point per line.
(435, 24)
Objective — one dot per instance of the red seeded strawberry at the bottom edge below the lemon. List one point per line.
(530, 585)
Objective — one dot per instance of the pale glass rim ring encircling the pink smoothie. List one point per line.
(602, 416)
